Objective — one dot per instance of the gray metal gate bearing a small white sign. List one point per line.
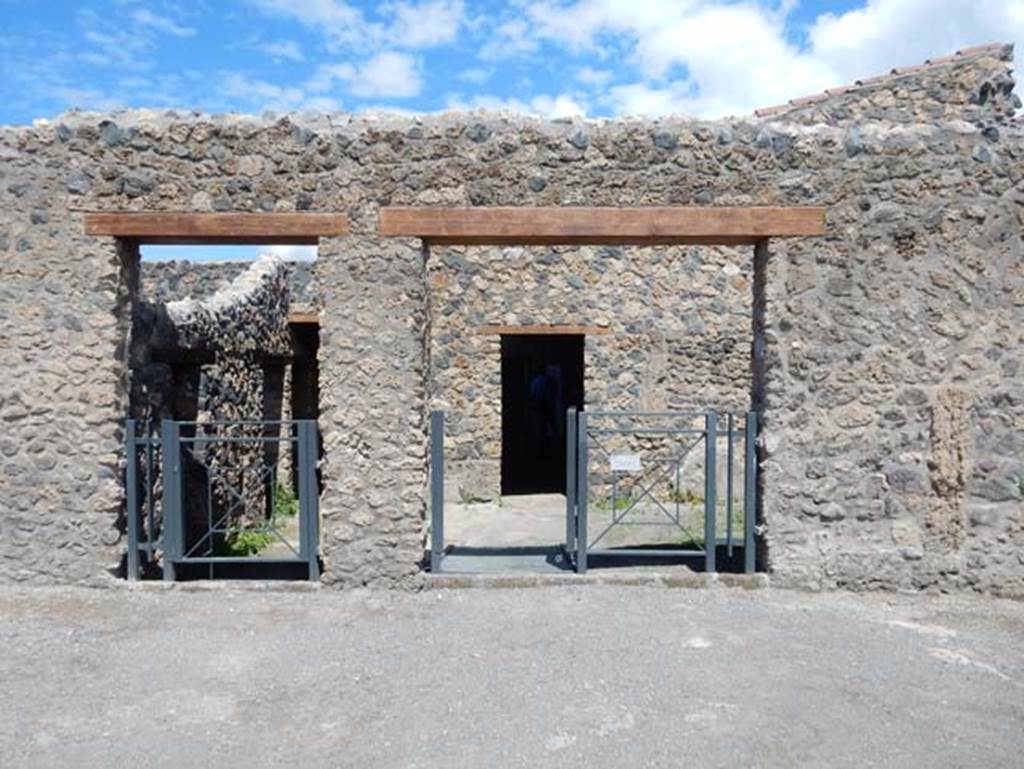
(627, 469)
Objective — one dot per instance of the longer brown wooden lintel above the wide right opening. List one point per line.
(638, 227)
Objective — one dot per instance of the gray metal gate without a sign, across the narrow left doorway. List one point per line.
(212, 493)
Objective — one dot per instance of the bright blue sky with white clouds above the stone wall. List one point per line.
(551, 58)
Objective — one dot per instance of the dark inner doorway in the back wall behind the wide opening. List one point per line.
(542, 377)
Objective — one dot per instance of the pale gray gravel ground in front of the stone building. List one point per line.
(596, 676)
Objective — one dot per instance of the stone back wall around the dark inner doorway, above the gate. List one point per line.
(678, 324)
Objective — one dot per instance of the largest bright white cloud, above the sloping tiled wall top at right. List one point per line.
(713, 58)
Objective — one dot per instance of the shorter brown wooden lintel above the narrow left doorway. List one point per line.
(186, 229)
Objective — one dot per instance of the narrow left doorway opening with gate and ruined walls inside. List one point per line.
(224, 349)
